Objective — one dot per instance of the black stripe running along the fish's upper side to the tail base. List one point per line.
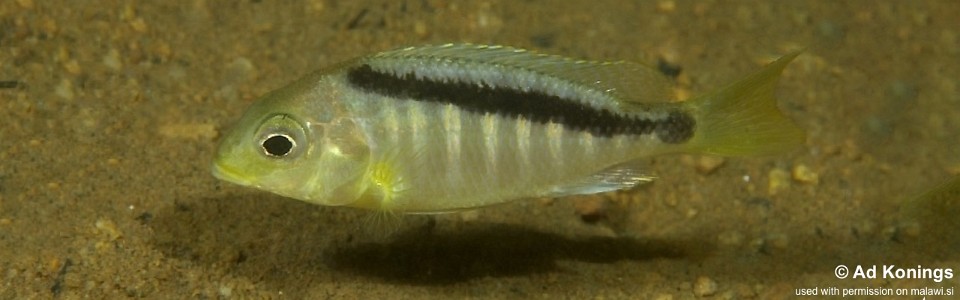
(535, 106)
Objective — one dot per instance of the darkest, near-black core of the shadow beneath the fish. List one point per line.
(477, 250)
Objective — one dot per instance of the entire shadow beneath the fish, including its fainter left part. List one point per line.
(281, 241)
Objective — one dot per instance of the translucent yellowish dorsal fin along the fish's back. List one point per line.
(623, 81)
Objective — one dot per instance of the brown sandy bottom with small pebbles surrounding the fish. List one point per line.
(111, 114)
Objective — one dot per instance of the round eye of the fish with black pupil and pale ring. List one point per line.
(281, 136)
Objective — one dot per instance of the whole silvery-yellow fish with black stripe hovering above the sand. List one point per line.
(445, 128)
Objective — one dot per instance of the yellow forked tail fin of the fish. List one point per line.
(743, 119)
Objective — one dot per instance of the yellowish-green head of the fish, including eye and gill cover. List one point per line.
(291, 143)
